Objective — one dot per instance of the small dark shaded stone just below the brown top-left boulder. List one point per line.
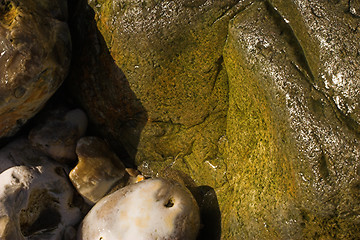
(57, 135)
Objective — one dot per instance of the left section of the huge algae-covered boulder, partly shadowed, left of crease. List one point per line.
(163, 61)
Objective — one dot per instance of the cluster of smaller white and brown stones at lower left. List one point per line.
(41, 197)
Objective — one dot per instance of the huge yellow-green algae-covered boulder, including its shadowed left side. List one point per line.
(271, 121)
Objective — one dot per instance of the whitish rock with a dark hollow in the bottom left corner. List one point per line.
(35, 196)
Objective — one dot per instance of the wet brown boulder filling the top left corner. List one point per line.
(35, 50)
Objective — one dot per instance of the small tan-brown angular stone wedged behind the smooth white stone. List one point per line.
(98, 169)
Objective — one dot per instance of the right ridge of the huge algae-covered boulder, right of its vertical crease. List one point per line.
(293, 150)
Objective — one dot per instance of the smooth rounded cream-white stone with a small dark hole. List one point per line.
(151, 209)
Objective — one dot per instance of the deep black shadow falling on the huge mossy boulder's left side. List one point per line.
(101, 88)
